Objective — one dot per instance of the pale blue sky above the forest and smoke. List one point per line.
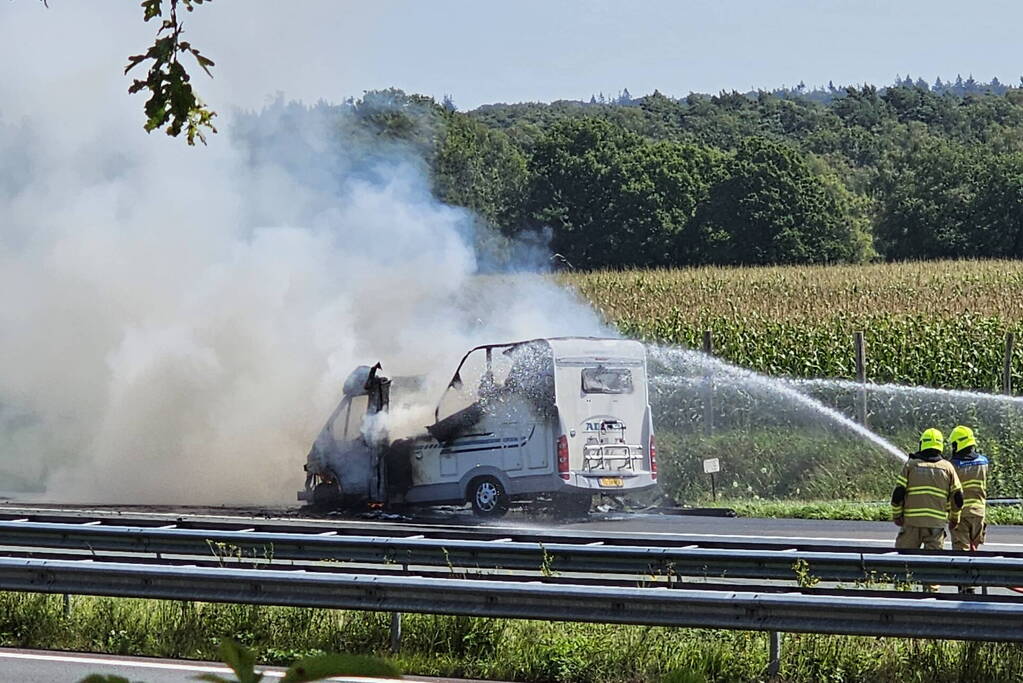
(483, 52)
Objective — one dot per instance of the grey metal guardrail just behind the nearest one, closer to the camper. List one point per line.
(850, 566)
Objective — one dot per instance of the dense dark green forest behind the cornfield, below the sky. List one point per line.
(907, 172)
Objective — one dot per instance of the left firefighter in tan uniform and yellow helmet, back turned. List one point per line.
(927, 496)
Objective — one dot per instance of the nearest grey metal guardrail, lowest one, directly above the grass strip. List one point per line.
(905, 617)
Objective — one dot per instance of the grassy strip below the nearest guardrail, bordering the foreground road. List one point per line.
(513, 651)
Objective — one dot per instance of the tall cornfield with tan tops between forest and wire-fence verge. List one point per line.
(937, 324)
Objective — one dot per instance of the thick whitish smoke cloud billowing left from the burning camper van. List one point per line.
(175, 324)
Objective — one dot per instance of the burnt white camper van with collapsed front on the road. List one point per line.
(564, 419)
